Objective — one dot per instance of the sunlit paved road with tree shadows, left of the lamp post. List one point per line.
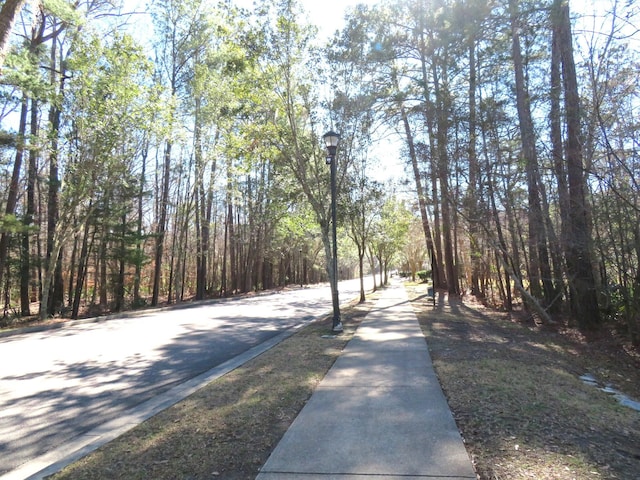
(58, 384)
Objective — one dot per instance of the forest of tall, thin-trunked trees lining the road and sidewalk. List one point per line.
(147, 162)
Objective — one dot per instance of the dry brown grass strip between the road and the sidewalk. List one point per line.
(229, 428)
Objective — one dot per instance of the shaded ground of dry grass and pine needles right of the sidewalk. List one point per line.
(516, 393)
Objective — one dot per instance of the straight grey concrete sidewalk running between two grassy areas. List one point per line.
(379, 412)
